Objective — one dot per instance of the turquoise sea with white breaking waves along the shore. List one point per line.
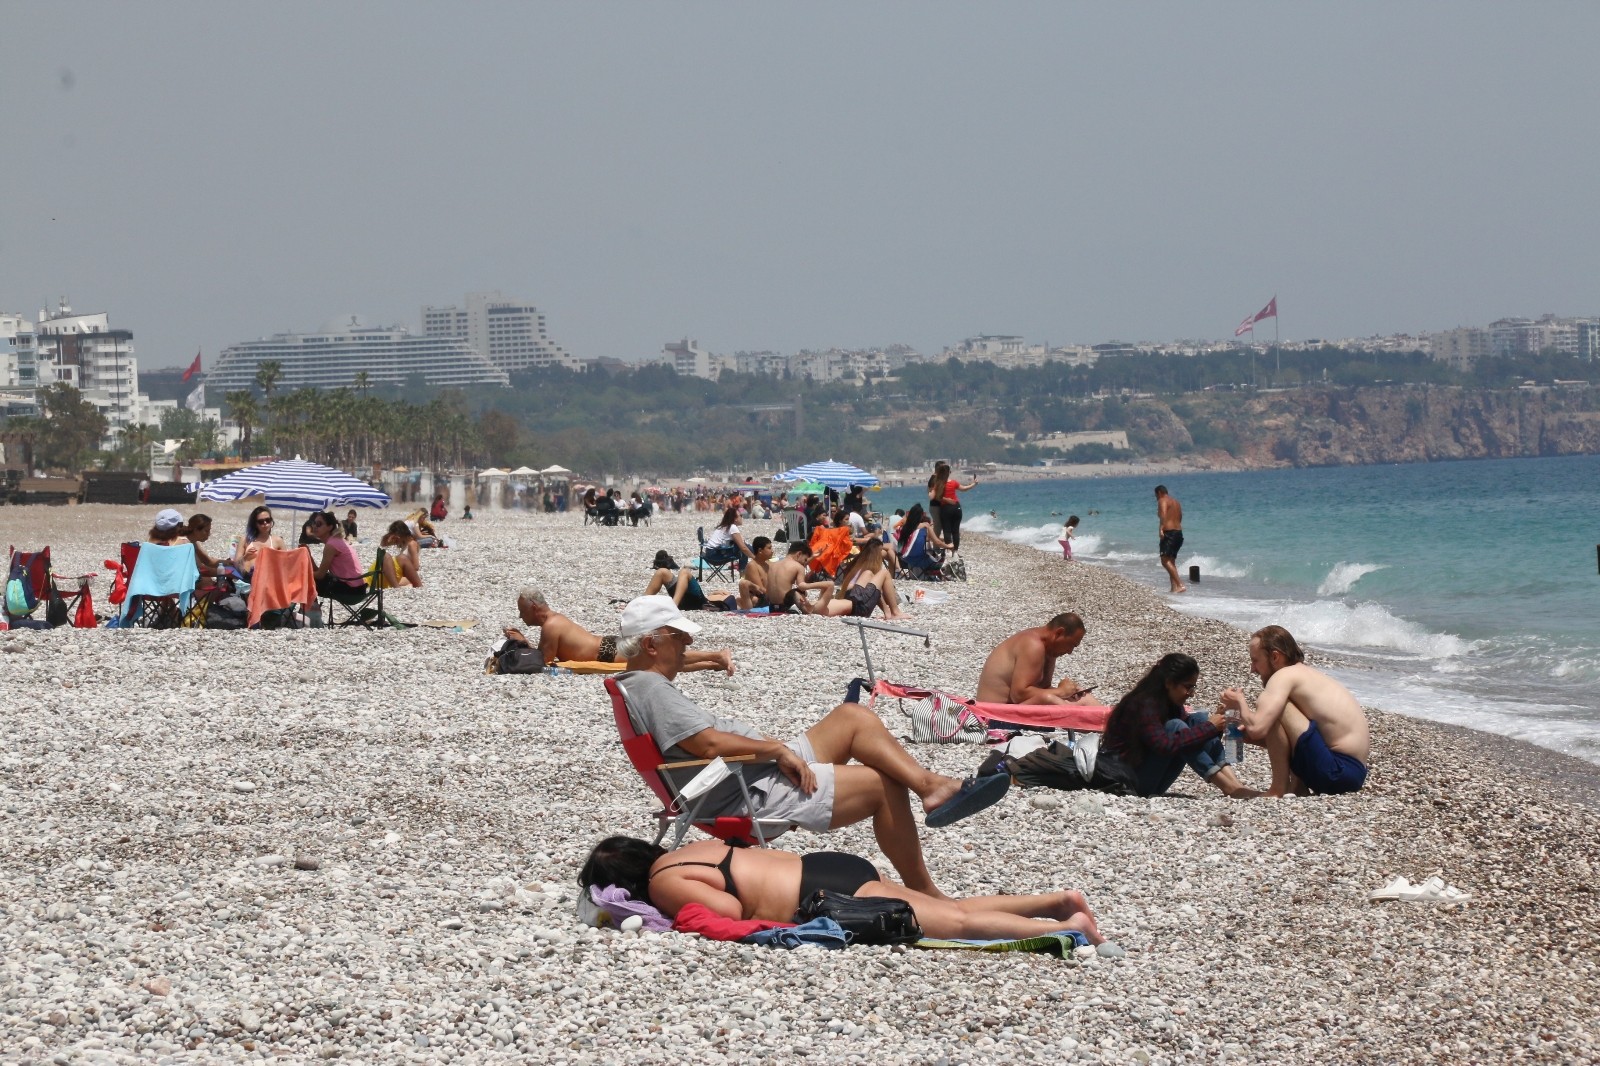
(1468, 593)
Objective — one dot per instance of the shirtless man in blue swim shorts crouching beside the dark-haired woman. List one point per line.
(1311, 726)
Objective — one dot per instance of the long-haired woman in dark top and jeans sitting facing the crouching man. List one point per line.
(1153, 734)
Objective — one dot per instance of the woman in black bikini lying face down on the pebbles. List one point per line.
(770, 884)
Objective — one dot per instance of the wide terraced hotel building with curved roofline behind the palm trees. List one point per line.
(334, 356)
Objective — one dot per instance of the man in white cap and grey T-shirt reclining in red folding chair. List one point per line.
(846, 769)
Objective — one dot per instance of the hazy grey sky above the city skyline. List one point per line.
(786, 177)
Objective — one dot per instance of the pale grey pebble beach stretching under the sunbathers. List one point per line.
(310, 846)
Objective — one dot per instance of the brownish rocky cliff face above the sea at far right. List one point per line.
(1402, 425)
